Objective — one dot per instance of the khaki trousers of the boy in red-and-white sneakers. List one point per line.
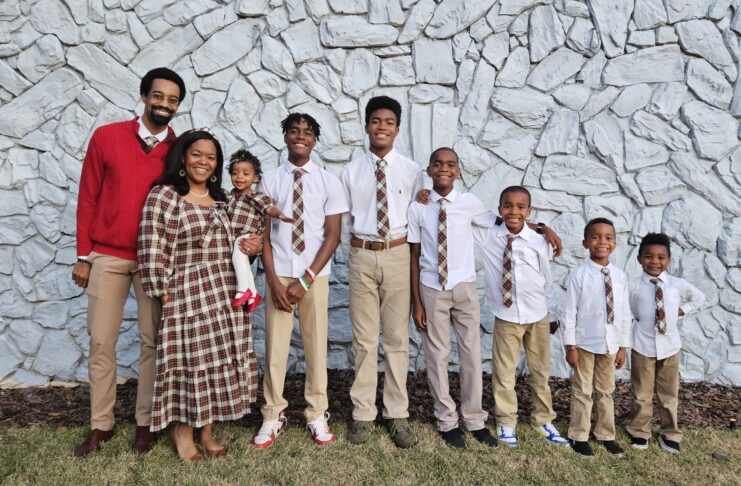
(312, 319)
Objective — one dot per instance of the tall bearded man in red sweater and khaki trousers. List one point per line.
(122, 162)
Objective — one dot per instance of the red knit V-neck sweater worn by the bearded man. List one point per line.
(116, 177)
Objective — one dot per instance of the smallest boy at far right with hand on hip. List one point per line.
(657, 300)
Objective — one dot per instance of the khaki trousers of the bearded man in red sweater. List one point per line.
(107, 291)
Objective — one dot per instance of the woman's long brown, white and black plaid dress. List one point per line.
(206, 365)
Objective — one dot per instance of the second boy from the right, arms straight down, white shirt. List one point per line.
(596, 319)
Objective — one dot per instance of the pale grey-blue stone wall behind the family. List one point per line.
(619, 108)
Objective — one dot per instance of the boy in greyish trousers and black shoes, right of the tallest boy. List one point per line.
(443, 283)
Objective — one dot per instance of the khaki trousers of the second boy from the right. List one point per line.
(594, 372)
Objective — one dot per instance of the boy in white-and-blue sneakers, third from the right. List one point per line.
(519, 291)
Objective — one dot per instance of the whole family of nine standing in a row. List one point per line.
(152, 213)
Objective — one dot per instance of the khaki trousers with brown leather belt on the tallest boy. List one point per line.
(379, 306)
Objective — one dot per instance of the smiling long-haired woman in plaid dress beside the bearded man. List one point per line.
(206, 366)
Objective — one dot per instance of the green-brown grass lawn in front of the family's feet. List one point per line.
(43, 455)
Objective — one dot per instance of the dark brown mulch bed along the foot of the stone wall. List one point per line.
(700, 404)
